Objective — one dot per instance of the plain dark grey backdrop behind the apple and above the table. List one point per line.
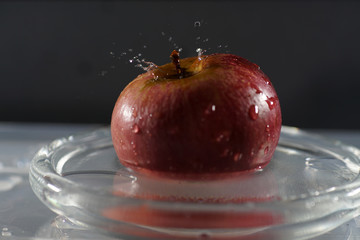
(62, 61)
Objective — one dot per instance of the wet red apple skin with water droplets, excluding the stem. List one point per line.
(221, 118)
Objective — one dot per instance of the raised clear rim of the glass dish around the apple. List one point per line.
(55, 180)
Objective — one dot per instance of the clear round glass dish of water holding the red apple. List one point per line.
(310, 187)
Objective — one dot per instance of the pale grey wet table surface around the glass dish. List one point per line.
(24, 217)
